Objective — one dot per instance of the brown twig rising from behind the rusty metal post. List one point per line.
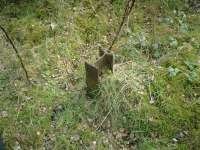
(128, 9)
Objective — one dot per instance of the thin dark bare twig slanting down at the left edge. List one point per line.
(17, 54)
